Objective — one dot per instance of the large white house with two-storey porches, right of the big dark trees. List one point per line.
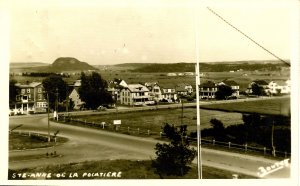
(135, 95)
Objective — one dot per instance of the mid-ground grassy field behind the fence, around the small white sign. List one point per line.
(154, 119)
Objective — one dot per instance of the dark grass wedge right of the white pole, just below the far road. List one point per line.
(280, 106)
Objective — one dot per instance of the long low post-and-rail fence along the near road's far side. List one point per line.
(210, 143)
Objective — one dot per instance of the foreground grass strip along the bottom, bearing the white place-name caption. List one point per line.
(123, 169)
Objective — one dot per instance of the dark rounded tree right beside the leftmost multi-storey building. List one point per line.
(56, 88)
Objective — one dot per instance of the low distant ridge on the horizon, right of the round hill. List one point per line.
(206, 67)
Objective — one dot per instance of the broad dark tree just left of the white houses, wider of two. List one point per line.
(93, 90)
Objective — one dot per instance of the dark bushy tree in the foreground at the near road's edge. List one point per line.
(174, 158)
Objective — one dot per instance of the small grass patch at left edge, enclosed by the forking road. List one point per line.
(22, 142)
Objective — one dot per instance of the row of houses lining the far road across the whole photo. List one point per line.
(32, 98)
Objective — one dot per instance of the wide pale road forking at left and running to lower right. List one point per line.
(90, 144)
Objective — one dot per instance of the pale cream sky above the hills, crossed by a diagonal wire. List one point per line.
(102, 33)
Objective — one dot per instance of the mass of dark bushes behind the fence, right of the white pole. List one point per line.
(268, 131)
